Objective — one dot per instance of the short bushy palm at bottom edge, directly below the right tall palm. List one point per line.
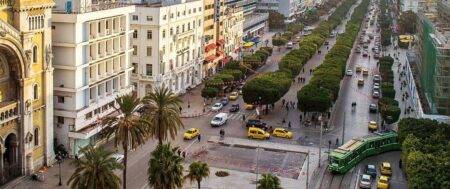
(165, 169)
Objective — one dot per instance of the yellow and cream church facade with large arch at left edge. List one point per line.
(26, 76)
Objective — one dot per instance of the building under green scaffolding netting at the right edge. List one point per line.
(434, 48)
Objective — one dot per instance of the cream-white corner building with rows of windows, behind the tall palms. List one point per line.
(167, 43)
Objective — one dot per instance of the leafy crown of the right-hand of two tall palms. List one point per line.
(163, 111)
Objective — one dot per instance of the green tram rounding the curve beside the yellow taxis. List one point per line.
(352, 152)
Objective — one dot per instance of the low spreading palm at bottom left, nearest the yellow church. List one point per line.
(95, 170)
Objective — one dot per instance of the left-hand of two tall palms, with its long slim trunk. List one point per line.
(129, 129)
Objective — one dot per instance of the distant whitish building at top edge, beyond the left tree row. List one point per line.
(288, 8)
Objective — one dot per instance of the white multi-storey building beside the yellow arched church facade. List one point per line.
(91, 59)
